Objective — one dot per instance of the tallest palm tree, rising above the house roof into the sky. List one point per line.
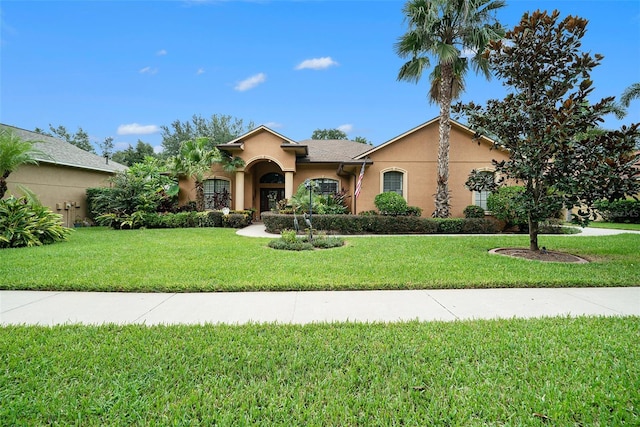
(454, 33)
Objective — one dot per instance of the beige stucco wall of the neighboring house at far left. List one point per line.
(54, 185)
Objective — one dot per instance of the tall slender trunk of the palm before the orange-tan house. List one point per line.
(442, 196)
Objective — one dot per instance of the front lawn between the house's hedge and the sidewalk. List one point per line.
(213, 259)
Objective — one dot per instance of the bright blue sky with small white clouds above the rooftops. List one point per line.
(124, 68)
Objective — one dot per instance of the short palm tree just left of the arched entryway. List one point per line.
(194, 160)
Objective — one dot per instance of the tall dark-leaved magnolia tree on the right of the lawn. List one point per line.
(550, 126)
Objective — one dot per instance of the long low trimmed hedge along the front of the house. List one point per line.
(381, 224)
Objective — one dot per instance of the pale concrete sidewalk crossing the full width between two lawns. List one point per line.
(53, 308)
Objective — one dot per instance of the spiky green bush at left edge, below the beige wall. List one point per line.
(27, 223)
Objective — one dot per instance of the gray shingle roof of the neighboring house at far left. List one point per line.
(60, 152)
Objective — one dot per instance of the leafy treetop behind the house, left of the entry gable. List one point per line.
(218, 129)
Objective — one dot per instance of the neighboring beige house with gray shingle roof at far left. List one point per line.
(62, 176)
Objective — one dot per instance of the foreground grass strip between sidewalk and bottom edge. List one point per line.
(553, 371)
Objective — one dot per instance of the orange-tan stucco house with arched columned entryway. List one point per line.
(275, 166)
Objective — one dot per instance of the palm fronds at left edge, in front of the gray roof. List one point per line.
(14, 152)
